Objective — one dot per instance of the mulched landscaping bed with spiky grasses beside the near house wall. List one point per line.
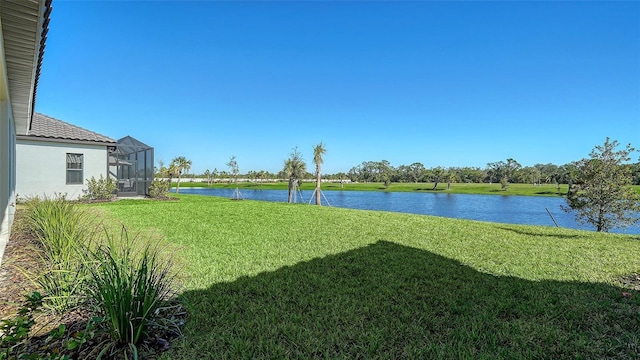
(36, 322)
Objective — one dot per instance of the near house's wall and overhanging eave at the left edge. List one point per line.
(23, 29)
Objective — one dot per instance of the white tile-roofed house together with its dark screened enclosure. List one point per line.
(57, 158)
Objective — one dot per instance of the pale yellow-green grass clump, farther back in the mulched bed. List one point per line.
(63, 229)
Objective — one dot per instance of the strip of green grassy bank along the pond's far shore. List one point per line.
(486, 189)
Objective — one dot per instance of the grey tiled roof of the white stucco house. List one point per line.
(44, 126)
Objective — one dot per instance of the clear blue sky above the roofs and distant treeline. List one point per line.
(441, 83)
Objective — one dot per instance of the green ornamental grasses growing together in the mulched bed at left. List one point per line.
(123, 286)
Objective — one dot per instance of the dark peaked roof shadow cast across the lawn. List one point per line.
(391, 301)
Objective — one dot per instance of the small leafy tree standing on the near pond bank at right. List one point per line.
(601, 194)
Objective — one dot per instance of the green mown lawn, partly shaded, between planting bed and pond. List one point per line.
(274, 280)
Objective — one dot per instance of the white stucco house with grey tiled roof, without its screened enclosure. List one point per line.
(56, 157)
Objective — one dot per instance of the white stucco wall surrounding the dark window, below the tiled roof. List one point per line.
(42, 167)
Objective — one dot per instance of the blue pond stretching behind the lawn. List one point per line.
(529, 210)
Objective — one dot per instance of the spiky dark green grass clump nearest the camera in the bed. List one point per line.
(130, 285)
